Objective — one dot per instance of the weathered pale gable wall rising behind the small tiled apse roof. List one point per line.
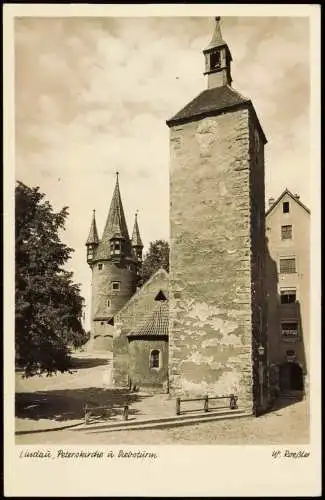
(129, 318)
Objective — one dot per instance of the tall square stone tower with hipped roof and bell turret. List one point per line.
(217, 333)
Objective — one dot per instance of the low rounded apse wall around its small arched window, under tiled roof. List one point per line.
(141, 374)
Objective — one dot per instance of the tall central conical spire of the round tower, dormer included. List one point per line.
(115, 242)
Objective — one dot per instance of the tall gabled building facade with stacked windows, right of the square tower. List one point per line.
(288, 284)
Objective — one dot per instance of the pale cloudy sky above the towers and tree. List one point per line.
(92, 96)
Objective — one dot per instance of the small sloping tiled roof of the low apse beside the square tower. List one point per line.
(156, 324)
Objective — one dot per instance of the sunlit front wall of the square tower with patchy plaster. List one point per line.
(210, 334)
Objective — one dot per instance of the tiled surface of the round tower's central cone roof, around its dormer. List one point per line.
(115, 226)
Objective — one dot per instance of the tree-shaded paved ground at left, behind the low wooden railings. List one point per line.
(45, 404)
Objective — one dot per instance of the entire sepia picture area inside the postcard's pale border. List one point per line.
(163, 206)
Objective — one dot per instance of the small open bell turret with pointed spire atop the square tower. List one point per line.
(217, 59)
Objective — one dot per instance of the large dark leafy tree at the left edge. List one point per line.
(48, 308)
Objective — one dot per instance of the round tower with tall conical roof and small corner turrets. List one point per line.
(116, 263)
